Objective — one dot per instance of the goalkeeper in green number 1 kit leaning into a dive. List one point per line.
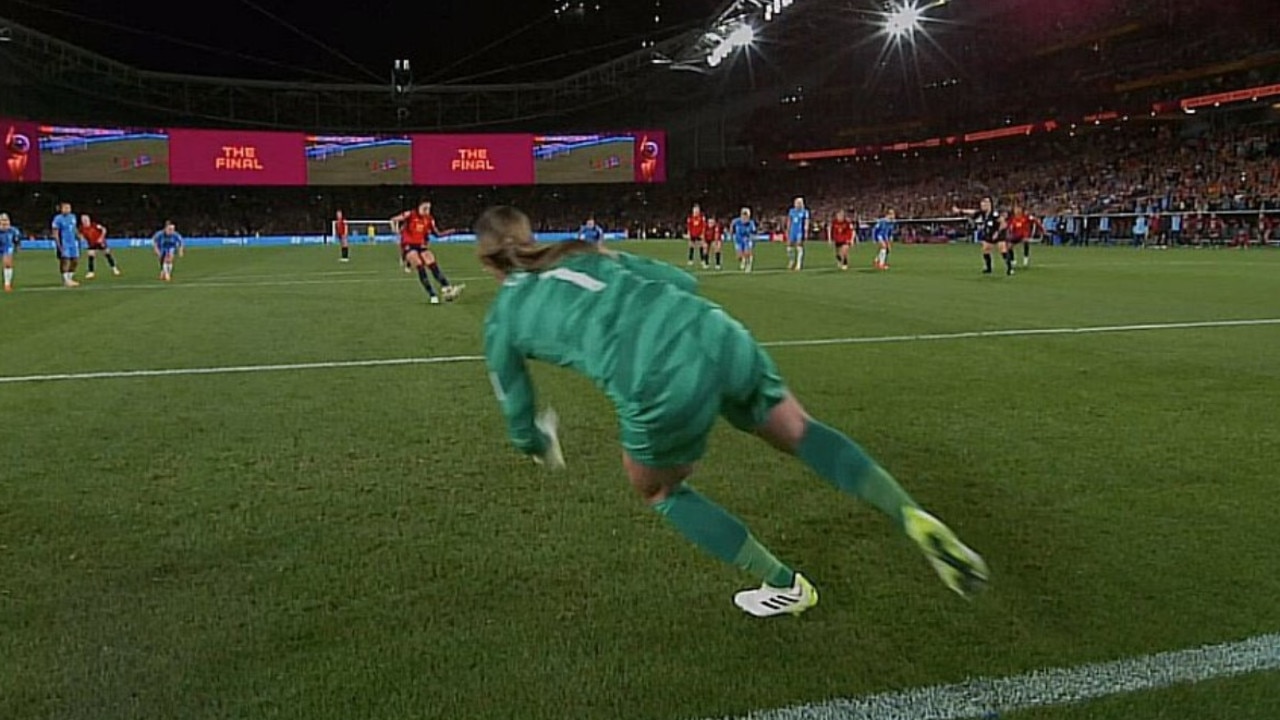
(685, 364)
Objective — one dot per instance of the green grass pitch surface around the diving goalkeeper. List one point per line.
(359, 541)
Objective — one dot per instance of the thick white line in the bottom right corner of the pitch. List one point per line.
(988, 698)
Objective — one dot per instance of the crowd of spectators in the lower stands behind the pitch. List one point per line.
(1122, 168)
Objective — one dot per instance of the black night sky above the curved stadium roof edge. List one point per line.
(266, 39)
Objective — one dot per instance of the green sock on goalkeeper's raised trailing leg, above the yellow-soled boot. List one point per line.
(848, 467)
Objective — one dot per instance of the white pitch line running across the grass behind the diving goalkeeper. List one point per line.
(449, 359)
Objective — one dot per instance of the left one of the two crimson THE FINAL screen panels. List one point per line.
(211, 157)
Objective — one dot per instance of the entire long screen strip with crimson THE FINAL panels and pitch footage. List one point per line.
(35, 153)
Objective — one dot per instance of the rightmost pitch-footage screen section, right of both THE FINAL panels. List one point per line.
(565, 160)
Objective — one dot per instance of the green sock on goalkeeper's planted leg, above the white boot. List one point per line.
(717, 532)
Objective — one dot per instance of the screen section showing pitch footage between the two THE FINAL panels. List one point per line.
(359, 161)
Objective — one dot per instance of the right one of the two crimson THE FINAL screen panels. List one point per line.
(473, 160)
